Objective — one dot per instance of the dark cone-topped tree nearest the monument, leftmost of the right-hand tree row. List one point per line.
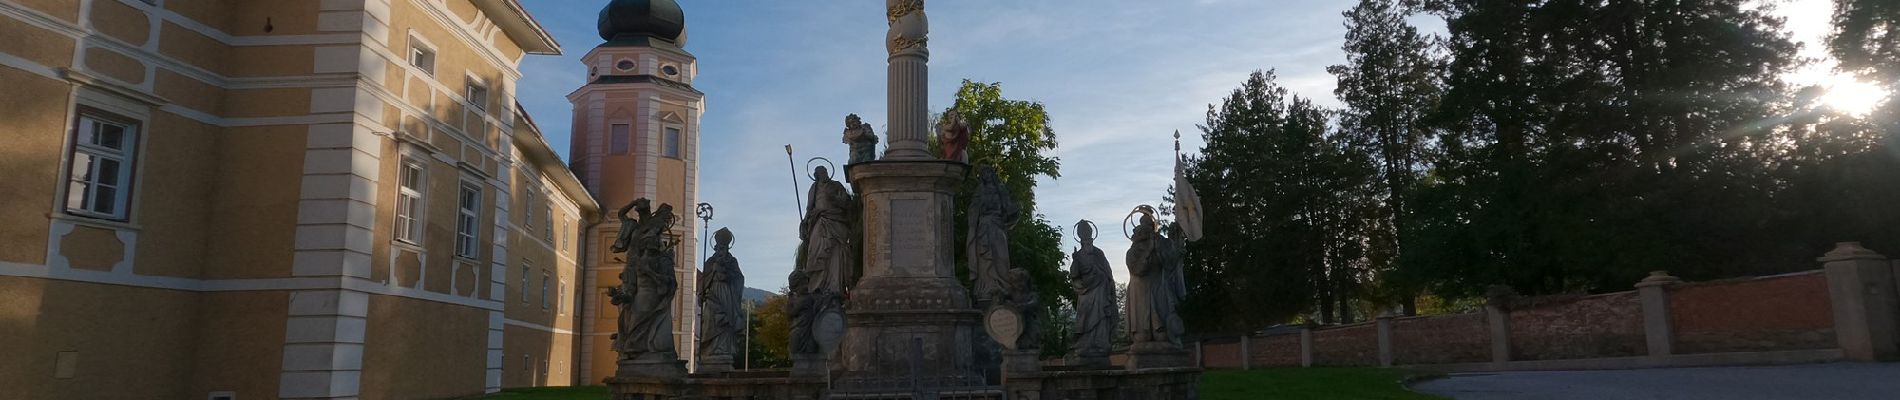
(1268, 181)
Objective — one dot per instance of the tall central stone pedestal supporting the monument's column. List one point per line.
(909, 321)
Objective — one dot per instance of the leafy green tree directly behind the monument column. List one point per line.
(1016, 139)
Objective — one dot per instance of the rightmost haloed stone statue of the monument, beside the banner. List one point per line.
(1156, 285)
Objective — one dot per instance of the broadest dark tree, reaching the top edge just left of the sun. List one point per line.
(1584, 126)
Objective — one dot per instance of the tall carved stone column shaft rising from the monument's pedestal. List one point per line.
(909, 81)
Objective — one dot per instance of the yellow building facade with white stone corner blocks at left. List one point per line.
(282, 200)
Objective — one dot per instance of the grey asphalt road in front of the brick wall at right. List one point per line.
(1831, 382)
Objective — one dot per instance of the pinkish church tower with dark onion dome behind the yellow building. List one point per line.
(637, 136)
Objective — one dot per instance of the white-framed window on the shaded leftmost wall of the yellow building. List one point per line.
(100, 177)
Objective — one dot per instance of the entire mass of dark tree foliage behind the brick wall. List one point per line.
(1548, 147)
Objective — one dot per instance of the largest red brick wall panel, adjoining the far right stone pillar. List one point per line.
(1770, 314)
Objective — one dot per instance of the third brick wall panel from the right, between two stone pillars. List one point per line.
(1441, 340)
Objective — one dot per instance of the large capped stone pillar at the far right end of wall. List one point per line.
(1865, 308)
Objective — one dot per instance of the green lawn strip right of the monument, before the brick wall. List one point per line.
(1361, 384)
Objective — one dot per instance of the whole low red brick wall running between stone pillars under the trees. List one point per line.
(1768, 316)
